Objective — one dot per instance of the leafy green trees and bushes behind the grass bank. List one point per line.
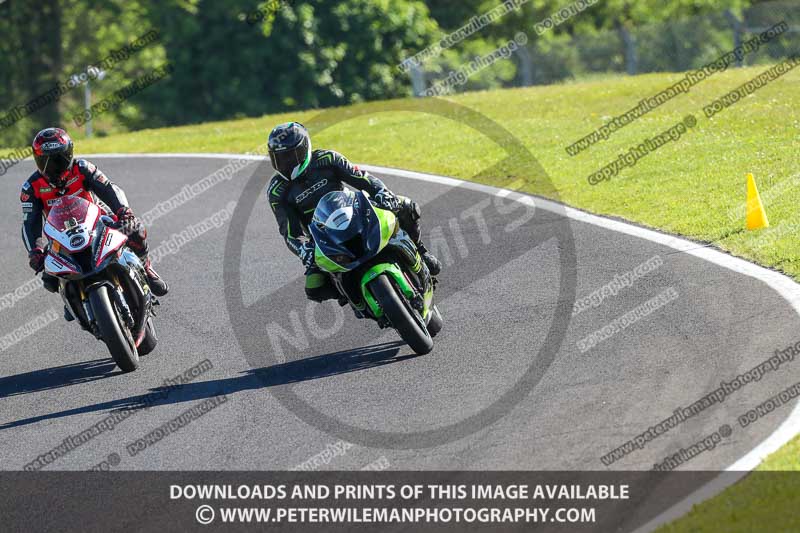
(244, 58)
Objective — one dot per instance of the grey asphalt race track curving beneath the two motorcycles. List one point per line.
(297, 379)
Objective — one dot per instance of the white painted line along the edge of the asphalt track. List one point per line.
(780, 283)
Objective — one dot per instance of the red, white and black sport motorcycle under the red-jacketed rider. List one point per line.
(101, 280)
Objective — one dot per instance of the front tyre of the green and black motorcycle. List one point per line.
(404, 319)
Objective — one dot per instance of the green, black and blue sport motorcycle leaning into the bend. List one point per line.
(376, 266)
